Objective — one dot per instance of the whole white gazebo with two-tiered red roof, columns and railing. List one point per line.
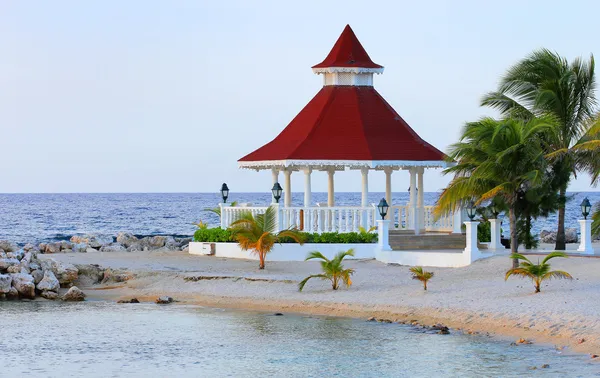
(349, 125)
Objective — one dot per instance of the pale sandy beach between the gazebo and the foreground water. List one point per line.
(475, 298)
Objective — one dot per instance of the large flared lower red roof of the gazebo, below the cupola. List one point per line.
(347, 123)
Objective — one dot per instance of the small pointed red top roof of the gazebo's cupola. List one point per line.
(347, 52)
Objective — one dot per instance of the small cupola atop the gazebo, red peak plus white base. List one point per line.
(348, 63)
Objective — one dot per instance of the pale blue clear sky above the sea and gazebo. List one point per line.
(155, 96)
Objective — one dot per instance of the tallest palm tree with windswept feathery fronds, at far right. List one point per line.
(545, 84)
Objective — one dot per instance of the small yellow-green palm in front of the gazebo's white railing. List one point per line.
(257, 233)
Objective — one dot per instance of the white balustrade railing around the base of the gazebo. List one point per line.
(344, 219)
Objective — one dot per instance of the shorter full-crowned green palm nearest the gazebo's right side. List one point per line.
(495, 158)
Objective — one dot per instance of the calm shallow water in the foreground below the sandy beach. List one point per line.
(98, 339)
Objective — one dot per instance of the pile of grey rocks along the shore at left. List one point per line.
(25, 274)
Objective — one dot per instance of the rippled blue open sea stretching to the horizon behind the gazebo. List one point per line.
(43, 217)
